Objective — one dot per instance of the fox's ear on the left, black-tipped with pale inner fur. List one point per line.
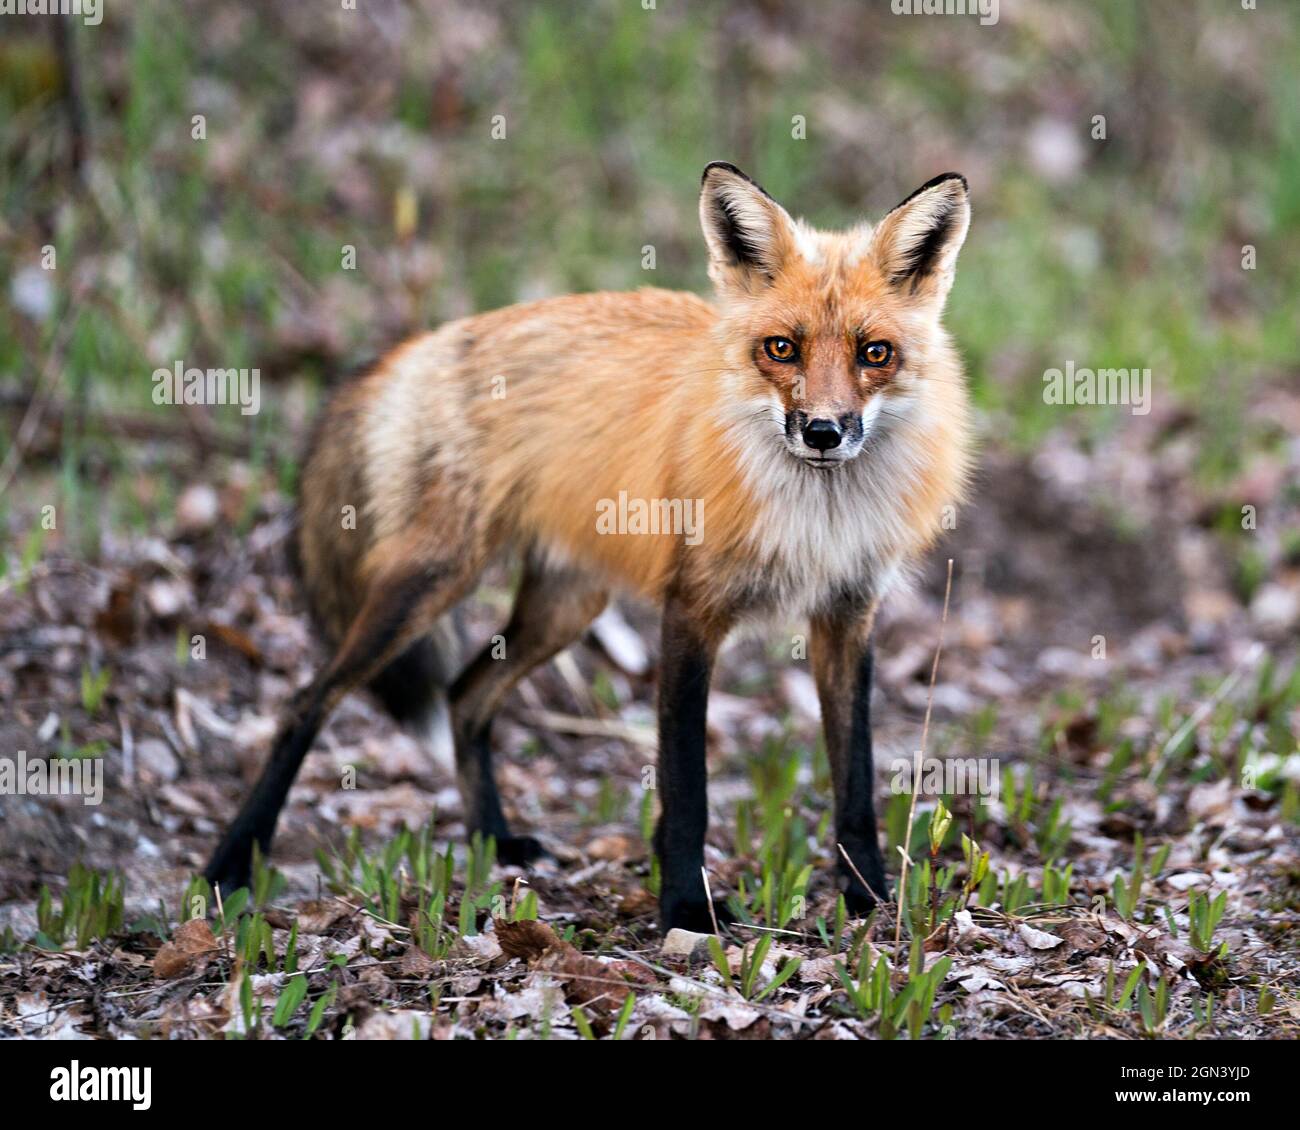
(748, 233)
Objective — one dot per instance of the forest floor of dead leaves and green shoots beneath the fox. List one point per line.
(1130, 713)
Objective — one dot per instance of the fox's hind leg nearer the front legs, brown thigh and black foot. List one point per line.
(552, 611)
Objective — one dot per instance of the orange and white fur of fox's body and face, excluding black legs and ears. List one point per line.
(509, 430)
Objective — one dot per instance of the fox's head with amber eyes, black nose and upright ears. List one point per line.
(831, 335)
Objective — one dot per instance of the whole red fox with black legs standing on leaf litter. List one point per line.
(813, 419)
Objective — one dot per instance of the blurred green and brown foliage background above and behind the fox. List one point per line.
(328, 128)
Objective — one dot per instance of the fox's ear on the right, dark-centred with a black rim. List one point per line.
(917, 244)
